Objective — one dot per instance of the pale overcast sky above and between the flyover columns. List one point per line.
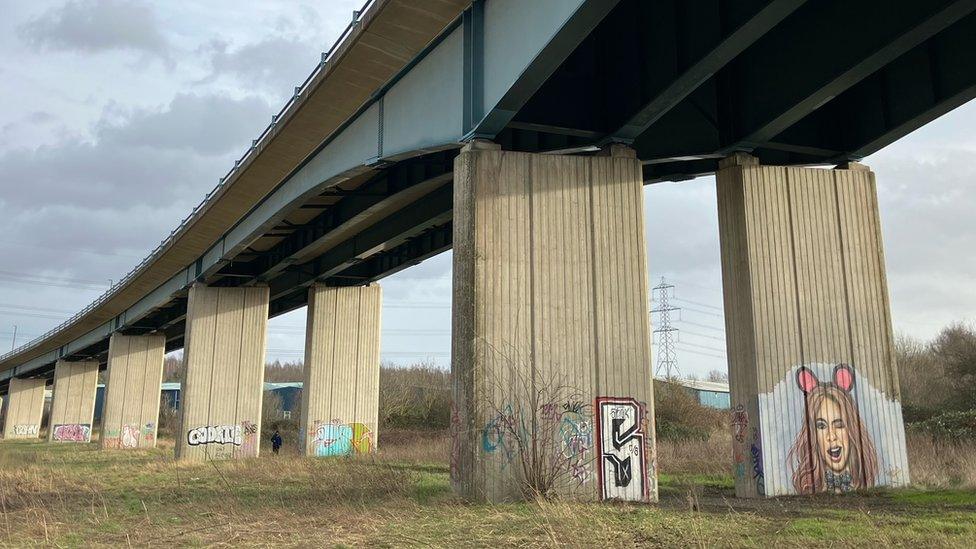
(117, 117)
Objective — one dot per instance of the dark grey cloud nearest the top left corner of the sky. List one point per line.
(97, 25)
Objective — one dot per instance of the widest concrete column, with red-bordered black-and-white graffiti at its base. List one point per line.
(551, 338)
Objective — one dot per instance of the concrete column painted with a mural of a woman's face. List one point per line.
(815, 401)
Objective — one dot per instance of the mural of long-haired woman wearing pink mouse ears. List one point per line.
(833, 451)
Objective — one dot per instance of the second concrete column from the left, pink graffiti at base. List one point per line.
(73, 401)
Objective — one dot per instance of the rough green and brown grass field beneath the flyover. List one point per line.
(71, 495)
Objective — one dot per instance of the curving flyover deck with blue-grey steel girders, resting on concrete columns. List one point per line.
(352, 180)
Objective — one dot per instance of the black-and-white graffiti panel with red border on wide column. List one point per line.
(621, 433)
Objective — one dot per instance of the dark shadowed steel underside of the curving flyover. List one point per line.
(684, 83)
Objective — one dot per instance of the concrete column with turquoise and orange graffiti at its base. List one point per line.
(340, 398)
